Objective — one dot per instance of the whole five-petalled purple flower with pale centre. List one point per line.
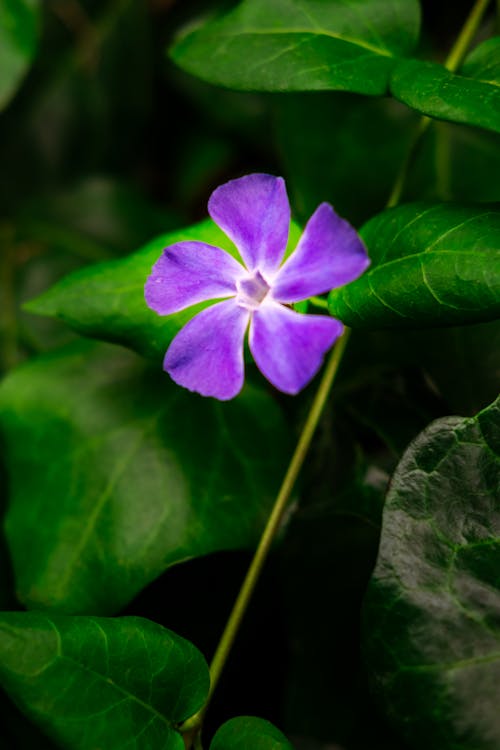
(288, 347)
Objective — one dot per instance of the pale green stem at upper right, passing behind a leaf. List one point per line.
(452, 63)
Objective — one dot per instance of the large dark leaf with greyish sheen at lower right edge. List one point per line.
(432, 622)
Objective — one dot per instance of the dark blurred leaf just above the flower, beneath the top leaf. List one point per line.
(342, 148)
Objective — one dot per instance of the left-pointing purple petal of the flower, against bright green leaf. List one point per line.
(191, 272)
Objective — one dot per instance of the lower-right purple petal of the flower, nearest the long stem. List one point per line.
(288, 347)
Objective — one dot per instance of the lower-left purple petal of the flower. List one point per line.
(206, 356)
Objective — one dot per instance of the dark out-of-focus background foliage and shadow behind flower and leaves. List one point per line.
(108, 144)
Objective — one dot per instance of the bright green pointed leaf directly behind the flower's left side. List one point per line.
(106, 300)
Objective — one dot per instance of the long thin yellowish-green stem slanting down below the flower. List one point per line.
(272, 526)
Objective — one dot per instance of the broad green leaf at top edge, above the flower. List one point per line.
(302, 45)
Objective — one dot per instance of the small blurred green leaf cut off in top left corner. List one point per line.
(18, 40)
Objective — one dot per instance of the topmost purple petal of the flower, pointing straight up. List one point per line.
(255, 214)
